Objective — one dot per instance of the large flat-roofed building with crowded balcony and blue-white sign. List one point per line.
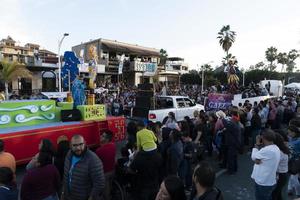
(139, 64)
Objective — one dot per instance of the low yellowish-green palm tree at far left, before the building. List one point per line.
(10, 71)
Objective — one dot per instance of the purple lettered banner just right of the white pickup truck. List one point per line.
(216, 101)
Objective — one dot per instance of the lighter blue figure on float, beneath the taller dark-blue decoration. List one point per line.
(78, 93)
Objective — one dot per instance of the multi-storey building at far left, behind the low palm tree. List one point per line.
(42, 63)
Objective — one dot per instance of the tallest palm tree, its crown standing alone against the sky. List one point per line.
(226, 38)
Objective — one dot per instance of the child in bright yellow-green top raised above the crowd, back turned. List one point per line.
(146, 139)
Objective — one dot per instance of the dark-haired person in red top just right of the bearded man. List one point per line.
(107, 154)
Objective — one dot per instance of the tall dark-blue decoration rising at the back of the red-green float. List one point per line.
(70, 66)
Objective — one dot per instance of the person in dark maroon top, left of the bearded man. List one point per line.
(42, 181)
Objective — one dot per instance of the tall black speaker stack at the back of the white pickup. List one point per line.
(143, 100)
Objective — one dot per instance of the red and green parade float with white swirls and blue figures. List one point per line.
(24, 123)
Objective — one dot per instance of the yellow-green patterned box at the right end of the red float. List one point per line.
(92, 112)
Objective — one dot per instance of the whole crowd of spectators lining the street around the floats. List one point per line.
(167, 161)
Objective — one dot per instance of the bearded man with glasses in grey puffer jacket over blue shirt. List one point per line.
(83, 173)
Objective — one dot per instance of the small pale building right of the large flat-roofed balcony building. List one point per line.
(172, 70)
